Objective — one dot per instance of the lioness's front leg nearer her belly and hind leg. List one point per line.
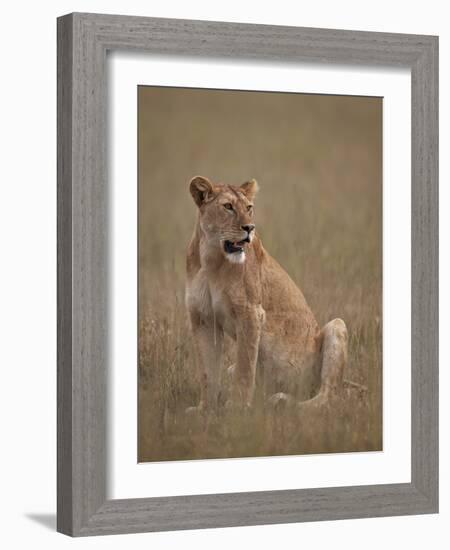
(248, 333)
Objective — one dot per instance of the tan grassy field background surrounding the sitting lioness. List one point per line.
(318, 160)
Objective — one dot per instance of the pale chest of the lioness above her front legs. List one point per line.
(211, 302)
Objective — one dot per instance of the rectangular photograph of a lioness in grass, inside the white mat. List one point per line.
(260, 263)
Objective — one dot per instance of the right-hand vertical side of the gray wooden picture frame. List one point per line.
(424, 276)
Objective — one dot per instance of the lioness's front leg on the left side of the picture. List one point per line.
(208, 345)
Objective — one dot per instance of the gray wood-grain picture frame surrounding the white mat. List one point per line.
(83, 40)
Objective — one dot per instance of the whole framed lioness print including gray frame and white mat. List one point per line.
(247, 274)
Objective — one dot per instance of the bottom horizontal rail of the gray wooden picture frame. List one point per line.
(257, 508)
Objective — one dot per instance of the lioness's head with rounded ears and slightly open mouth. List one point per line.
(226, 215)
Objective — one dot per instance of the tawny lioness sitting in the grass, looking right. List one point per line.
(235, 287)
